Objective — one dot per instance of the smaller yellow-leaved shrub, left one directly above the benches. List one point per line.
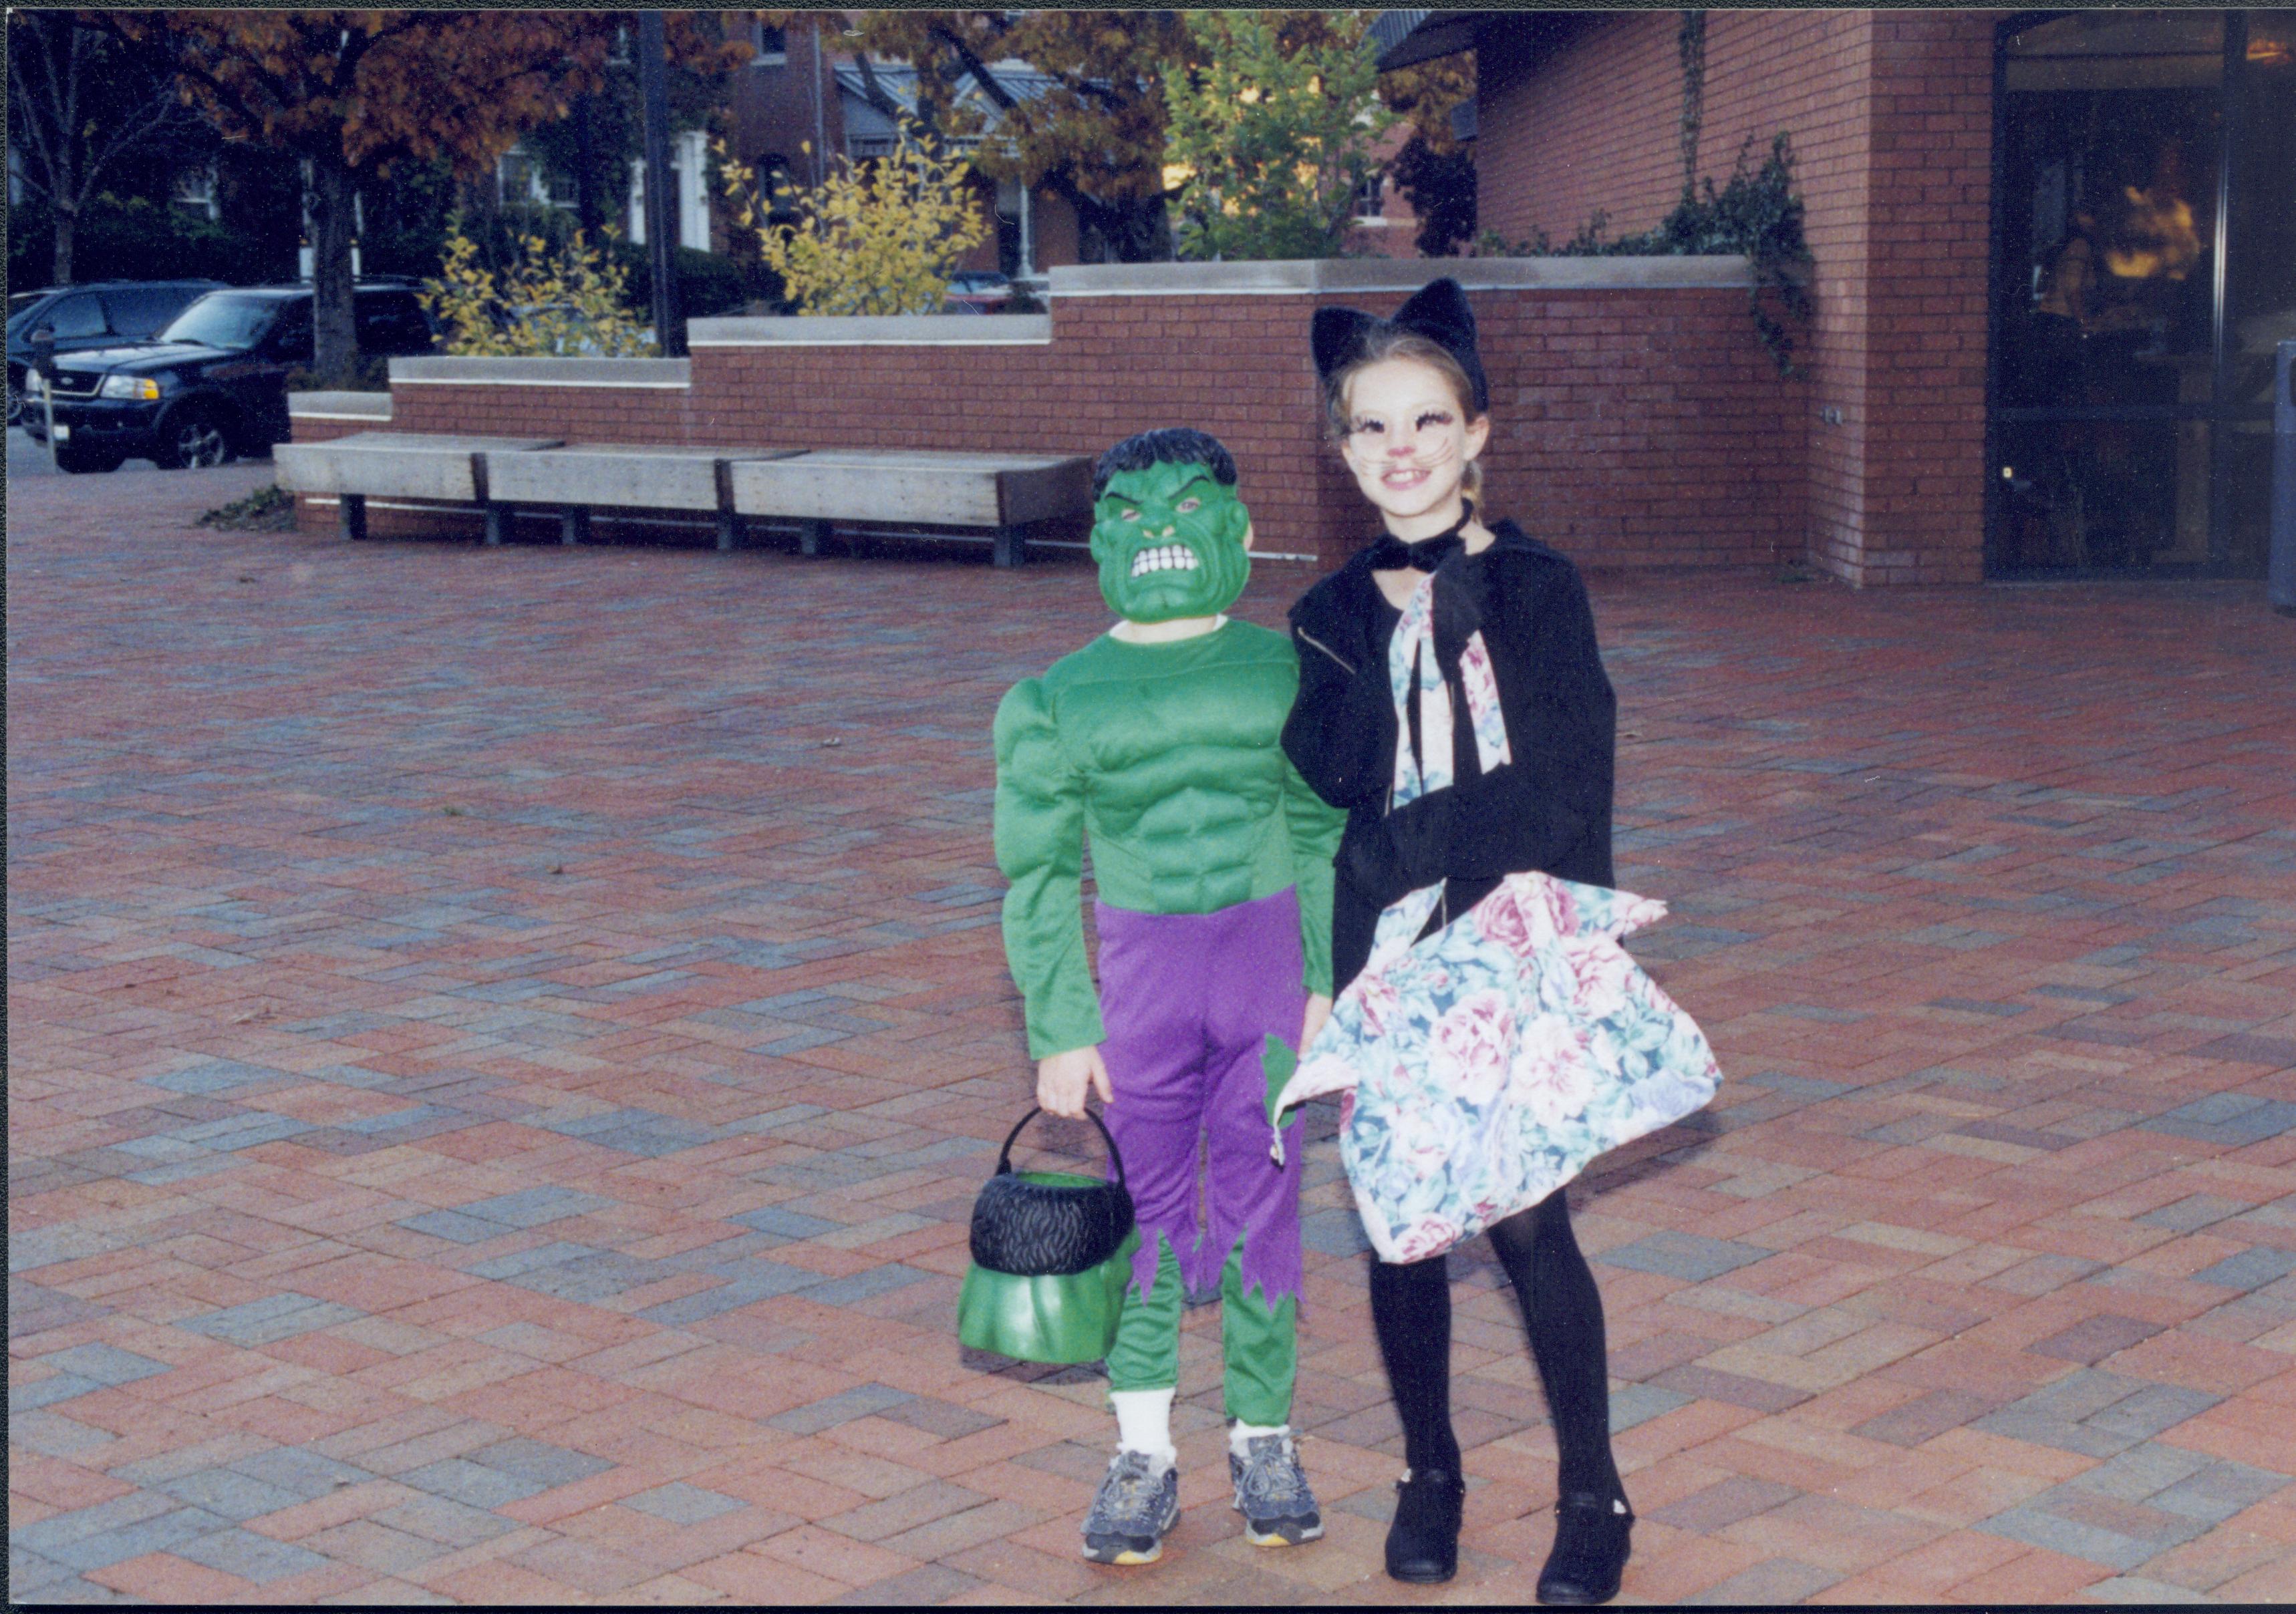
(545, 304)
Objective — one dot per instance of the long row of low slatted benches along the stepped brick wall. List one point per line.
(814, 488)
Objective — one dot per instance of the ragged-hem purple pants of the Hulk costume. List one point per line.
(1188, 1004)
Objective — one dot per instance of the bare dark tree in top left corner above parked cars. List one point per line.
(82, 98)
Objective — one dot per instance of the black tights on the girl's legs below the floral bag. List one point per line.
(1411, 1310)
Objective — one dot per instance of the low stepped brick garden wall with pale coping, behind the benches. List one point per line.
(1631, 426)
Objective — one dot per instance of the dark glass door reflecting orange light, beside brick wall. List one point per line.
(2118, 414)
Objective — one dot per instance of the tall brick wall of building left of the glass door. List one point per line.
(1891, 121)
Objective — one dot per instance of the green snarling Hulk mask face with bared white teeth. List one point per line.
(1170, 543)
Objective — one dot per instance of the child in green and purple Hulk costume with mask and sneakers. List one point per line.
(1163, 745)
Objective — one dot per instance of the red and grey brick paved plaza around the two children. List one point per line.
(502, 1048)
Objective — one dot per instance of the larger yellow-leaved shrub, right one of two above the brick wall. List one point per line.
(881, 238)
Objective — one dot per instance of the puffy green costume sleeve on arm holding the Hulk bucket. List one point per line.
(1039, 830)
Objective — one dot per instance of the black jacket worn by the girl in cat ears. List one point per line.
(1544, 812)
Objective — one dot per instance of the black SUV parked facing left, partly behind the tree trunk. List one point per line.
(212, 385)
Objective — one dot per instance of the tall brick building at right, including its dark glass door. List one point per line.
(2054, 254)
